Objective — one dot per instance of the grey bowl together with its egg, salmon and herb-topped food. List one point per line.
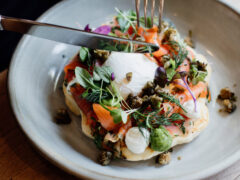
(124, 115)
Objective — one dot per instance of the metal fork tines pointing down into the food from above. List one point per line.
(160, 11)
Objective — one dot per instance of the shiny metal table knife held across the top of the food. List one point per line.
(71, 35)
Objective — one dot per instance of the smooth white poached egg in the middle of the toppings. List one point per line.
(142, 69)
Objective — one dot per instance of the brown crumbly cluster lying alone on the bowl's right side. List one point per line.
(227, 99)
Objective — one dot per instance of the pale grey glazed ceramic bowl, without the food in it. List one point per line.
(36, 75)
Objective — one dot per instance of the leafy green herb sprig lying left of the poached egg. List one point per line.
(100, 89)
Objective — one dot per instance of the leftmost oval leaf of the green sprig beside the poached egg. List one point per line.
(84, 78)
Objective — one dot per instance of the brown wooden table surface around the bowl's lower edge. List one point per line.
(19, 160)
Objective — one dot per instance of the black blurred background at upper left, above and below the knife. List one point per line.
(28, 9)
